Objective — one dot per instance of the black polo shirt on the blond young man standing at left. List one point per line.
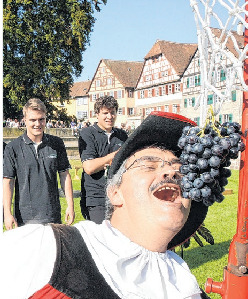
(36, 186)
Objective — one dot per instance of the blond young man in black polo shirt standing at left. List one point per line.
(31, 164)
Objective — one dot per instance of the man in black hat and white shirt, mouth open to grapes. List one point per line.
(128, 255)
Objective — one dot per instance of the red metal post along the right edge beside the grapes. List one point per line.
(235, 282)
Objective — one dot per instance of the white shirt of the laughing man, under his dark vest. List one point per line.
(131, 271)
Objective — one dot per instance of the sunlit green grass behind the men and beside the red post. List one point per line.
(207, 261)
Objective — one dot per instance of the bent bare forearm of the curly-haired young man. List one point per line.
(95, 165)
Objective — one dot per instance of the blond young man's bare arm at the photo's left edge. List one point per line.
(8, 190)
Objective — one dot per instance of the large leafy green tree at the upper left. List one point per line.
(43, 43)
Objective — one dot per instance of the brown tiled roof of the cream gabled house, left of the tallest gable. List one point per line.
(127, 72)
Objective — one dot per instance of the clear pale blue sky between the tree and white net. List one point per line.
(127, 30)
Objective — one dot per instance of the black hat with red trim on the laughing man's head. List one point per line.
(162, 128)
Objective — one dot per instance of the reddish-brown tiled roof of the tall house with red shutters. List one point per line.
(178, 54)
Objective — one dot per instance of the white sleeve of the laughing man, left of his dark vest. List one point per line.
(29, 253)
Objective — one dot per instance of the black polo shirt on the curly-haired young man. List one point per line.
(94, 143)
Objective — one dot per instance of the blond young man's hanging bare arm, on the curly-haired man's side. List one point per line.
(66, 185)
